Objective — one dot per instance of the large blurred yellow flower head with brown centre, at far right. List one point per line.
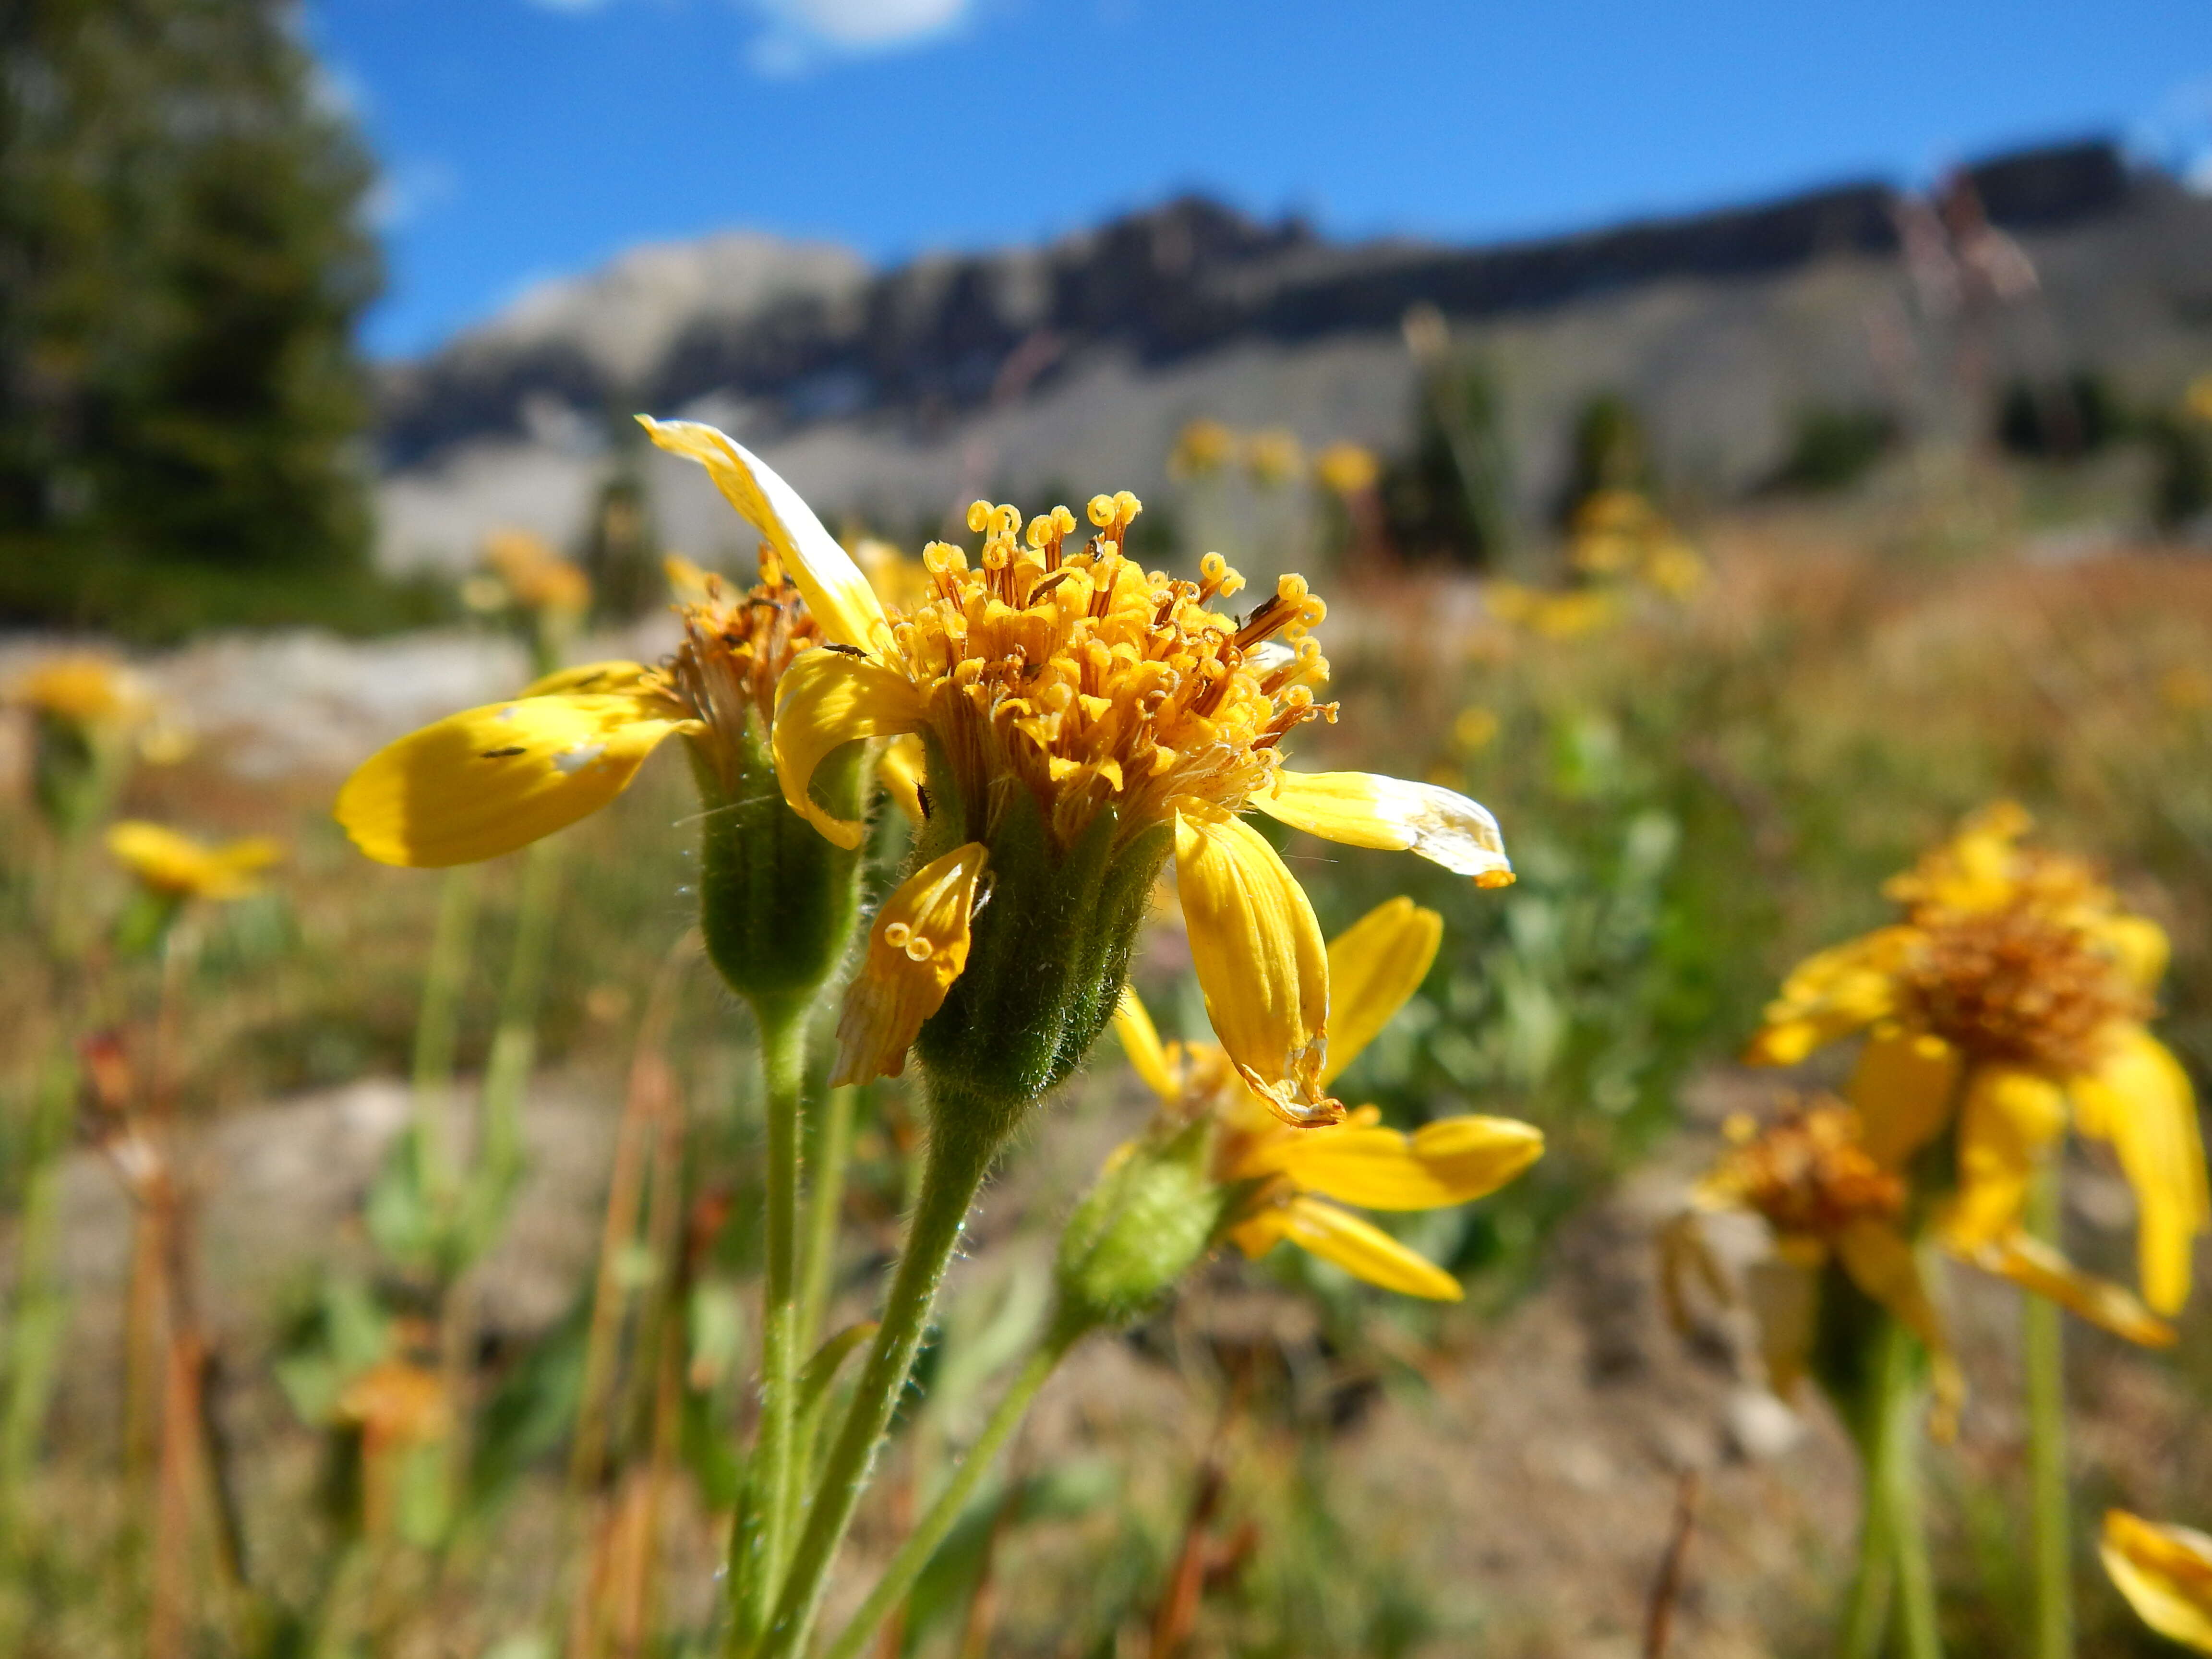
(2012, 992)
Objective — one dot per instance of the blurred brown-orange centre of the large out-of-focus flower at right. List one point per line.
(2018, 985)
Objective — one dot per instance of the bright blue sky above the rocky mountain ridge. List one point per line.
(532, 138)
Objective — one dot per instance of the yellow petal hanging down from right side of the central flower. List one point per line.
(1260, 959)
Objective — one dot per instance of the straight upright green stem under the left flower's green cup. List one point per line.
(762, 1538)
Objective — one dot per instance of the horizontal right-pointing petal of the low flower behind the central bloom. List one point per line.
(1379, 1169)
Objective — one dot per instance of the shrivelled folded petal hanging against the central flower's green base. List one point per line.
(915, 952)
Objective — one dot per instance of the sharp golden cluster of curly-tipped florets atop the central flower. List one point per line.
(1094, 682)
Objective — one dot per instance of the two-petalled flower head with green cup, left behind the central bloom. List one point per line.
(775, 899)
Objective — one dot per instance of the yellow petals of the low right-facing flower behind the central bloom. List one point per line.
(1282, 1178)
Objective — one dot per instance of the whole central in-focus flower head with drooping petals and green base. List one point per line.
(1083, 720)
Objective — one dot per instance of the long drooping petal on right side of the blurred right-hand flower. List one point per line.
(2140, 1100)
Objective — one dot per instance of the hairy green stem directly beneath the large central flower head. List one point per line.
(954, 1171)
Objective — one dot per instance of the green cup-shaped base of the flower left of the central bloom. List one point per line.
(778, 899)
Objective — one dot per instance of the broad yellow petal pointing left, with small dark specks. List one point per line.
(494, 780)
